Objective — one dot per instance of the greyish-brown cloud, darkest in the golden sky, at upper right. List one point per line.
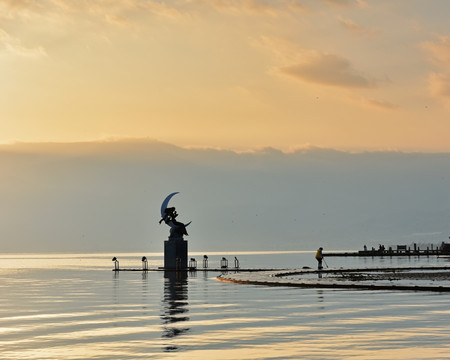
(328, 69)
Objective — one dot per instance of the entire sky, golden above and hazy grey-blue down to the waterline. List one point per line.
(283, 124)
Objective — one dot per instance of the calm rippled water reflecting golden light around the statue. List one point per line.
(75, 307)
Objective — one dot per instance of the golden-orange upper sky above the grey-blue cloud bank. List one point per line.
(353, 75)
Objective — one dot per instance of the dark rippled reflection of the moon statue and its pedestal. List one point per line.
(175, 307)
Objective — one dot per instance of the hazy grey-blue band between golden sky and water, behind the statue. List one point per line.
(105, 197)
